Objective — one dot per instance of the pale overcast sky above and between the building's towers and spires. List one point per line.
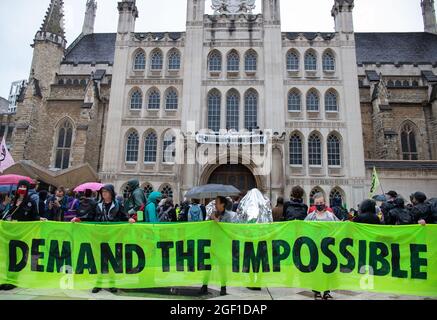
(22, 18)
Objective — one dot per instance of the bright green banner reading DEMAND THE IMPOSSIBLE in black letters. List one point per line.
(318, 256)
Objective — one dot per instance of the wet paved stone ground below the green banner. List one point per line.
(192, 294)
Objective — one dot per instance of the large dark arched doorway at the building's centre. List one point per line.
(236, 175)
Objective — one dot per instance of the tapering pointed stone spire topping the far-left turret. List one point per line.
(52, 28)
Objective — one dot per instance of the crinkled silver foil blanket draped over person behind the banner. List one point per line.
(255, 208)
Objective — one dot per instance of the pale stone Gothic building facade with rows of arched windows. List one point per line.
(185, 108)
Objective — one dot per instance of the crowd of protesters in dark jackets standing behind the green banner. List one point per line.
(104, 206)
